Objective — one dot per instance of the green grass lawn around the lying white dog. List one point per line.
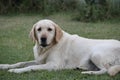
(15, 45)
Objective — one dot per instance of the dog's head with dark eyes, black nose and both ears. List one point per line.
(45, 32)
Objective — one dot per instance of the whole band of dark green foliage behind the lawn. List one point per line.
(84, 10)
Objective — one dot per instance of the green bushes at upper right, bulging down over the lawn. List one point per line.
(96, 10)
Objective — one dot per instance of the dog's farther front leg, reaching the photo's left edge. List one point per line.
(16, 65)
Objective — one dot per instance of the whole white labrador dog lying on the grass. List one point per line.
(55, 49)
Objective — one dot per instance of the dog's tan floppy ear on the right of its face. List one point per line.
(58, 33)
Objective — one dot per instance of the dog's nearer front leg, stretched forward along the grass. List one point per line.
(47, 66)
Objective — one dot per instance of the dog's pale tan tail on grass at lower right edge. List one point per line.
(112, 71)
